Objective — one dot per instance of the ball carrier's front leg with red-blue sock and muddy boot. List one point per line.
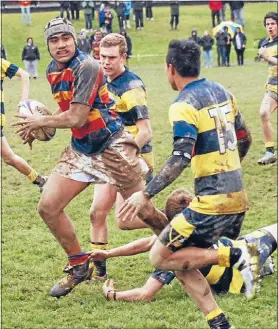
(57, 194)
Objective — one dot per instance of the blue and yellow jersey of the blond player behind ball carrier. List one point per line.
(129, 93)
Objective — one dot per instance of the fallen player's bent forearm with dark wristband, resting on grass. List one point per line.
(142, 294)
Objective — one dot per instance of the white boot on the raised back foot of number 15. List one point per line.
(248, 266)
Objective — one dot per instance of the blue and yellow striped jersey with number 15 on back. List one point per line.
(206, 112)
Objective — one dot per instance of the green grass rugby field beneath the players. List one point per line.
(32, 261)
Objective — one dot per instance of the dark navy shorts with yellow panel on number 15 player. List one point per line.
(191, 228)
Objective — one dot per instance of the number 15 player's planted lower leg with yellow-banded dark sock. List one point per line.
(198, 289)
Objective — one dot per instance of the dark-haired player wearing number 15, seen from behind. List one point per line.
(208, 129)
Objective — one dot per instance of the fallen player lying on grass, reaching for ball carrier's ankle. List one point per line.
(221, 280)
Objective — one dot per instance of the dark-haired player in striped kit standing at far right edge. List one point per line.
(269, 53)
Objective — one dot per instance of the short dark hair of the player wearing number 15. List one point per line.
(184, 55)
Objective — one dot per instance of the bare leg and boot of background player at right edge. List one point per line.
(268, 106)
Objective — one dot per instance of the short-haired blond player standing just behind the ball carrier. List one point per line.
(129, 93)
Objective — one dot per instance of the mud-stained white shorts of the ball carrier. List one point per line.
(119, 164)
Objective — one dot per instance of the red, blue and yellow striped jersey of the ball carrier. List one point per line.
(82, 81)
